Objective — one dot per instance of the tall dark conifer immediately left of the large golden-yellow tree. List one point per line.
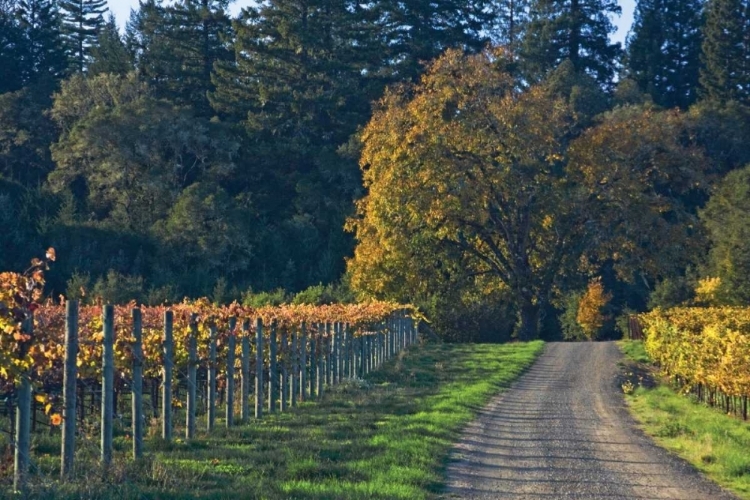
(303, 78)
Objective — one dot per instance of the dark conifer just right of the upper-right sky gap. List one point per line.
(664, 50)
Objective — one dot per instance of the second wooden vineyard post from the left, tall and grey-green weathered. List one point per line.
(69, 389)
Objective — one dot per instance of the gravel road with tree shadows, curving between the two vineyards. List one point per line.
(562, 431)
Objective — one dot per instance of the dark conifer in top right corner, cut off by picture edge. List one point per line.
(725, 74)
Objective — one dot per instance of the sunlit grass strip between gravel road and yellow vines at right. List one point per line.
(714, 443)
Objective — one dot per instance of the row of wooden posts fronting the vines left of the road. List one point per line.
(213, 362)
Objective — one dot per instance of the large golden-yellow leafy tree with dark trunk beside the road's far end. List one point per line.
(465, 180)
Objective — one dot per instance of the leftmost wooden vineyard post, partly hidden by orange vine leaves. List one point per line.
(23, 424)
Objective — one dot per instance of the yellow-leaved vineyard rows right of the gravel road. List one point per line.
(706, 352)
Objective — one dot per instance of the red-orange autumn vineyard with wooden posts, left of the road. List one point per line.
(74, 367)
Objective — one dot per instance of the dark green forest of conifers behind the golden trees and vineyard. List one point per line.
(199, 153)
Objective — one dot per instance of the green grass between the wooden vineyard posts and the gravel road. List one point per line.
(387, 437)
